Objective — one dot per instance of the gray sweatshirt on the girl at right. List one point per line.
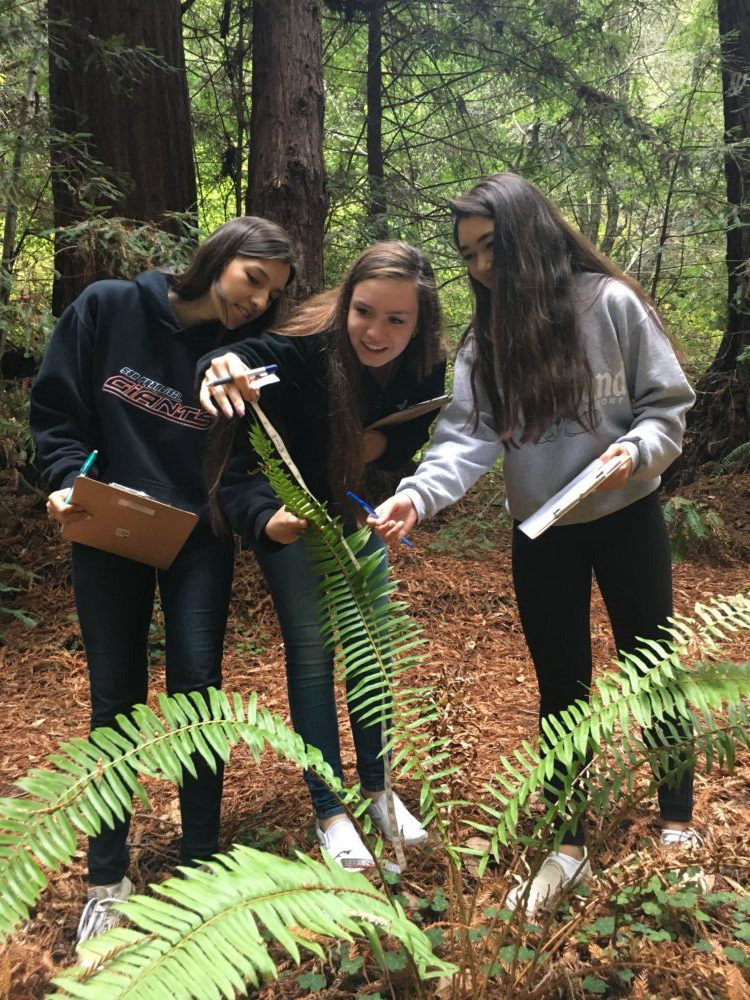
(641, 398)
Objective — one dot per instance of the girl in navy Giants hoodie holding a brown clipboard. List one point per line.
(118, 377)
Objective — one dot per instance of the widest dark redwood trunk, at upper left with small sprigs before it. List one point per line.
(132, 114)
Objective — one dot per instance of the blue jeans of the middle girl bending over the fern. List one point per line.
(309, 671)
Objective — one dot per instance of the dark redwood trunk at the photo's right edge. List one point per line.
(720, 421)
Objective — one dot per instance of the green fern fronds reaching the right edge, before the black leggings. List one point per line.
(649, 686)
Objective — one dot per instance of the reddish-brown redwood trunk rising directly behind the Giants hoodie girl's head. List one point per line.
(286, 177)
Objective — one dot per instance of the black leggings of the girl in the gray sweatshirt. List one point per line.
(628, 551)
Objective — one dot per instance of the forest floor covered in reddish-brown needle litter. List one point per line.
(457, 583)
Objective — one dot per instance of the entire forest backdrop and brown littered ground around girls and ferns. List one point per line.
(129, 130)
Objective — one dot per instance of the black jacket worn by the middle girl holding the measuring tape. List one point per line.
(298, 408)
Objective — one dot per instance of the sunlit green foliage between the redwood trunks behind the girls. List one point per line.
(612, 106)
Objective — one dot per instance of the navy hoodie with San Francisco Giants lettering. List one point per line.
(119, 376)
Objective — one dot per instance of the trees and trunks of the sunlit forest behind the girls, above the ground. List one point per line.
(128, 130)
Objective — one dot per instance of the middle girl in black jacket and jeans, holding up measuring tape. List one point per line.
(348, 357)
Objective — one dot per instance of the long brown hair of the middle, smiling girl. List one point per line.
(327, 314)
